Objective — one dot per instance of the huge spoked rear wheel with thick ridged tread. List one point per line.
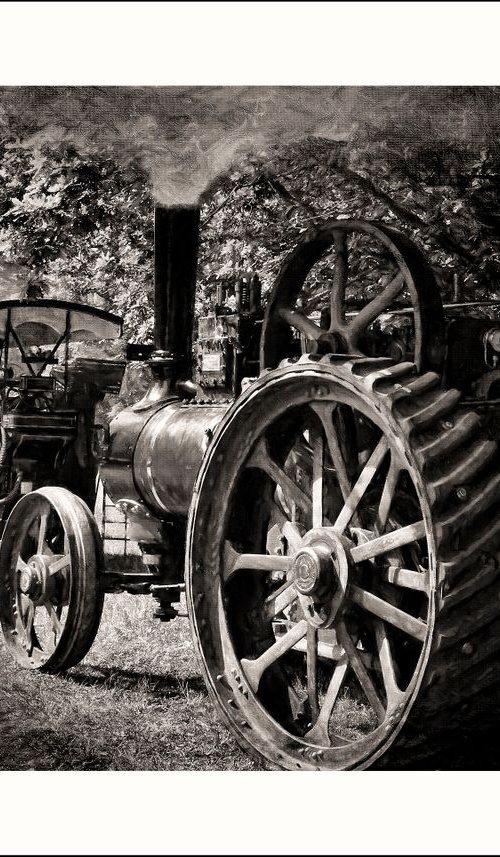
(341, 565)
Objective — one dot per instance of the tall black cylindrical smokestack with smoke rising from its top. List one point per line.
(176, 255)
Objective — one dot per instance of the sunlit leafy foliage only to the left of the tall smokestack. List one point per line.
(82, 225)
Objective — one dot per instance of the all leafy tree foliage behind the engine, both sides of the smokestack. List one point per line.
(81, 222)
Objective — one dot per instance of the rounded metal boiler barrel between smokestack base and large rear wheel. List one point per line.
(168, 454)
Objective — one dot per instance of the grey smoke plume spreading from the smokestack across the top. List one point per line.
(187, 136)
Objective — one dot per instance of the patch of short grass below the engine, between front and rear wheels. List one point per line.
(137, 702)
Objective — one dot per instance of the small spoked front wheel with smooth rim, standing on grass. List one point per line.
(50, 595)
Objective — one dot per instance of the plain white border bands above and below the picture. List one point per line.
(249, 43)
